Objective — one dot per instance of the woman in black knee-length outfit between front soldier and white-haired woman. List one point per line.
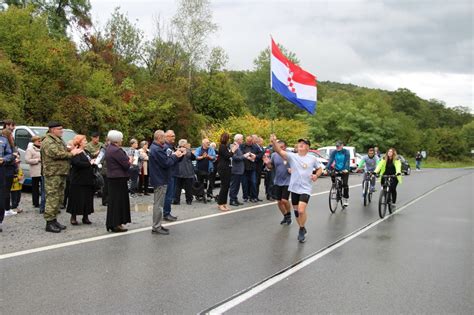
(81, 190)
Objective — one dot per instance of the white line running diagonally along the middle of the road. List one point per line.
(248, 293)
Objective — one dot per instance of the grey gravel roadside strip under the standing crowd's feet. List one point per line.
(26, 230)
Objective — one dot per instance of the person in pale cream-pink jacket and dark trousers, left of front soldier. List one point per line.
(33, 158)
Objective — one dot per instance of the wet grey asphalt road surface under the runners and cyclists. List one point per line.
(419, 261)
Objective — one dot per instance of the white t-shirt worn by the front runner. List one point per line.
(301, 170)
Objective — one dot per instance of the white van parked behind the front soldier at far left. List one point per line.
(23, 135)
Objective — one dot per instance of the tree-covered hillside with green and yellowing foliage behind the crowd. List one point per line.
(45, 76)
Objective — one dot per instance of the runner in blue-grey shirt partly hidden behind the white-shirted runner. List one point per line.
(280, 181)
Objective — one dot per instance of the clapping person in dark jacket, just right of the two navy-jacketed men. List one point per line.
(185, 173)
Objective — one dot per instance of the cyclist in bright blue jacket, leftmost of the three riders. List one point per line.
(341, 158)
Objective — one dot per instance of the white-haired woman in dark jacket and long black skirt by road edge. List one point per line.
(118, 165)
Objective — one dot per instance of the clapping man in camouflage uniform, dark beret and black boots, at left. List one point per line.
(55, 158)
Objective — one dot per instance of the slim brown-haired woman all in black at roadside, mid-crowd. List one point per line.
(224, 170)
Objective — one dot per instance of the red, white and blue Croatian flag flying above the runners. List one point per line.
(292, 82)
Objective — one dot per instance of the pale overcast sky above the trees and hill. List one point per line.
(425, 46)
